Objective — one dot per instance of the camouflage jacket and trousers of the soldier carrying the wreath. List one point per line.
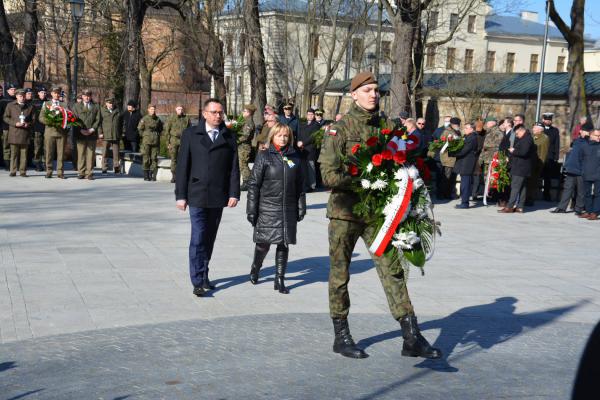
(344, 227)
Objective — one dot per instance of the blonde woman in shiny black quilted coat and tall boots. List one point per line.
(276, 201)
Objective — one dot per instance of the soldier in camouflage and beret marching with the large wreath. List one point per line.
(361, 122)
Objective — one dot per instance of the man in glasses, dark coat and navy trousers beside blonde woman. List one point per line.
(207, 180)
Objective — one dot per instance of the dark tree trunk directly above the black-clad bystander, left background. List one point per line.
(135, 11)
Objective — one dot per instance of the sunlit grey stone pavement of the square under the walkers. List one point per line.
(95, 302)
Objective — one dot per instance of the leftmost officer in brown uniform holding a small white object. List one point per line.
(18, 116)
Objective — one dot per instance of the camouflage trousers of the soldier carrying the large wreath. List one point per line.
(343, 236)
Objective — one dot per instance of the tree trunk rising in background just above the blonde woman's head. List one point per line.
(256, 58)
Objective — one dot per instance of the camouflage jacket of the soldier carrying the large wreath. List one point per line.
(354, 128)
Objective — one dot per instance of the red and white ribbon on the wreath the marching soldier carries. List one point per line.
(399, 209)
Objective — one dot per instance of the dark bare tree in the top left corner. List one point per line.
(16, 59)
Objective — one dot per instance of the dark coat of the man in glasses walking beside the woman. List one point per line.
(208, 173)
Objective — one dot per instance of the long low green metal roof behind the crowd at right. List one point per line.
(502, 85)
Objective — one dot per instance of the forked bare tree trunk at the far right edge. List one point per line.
(575, 40)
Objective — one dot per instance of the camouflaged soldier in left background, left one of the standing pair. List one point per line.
(150, 128)
